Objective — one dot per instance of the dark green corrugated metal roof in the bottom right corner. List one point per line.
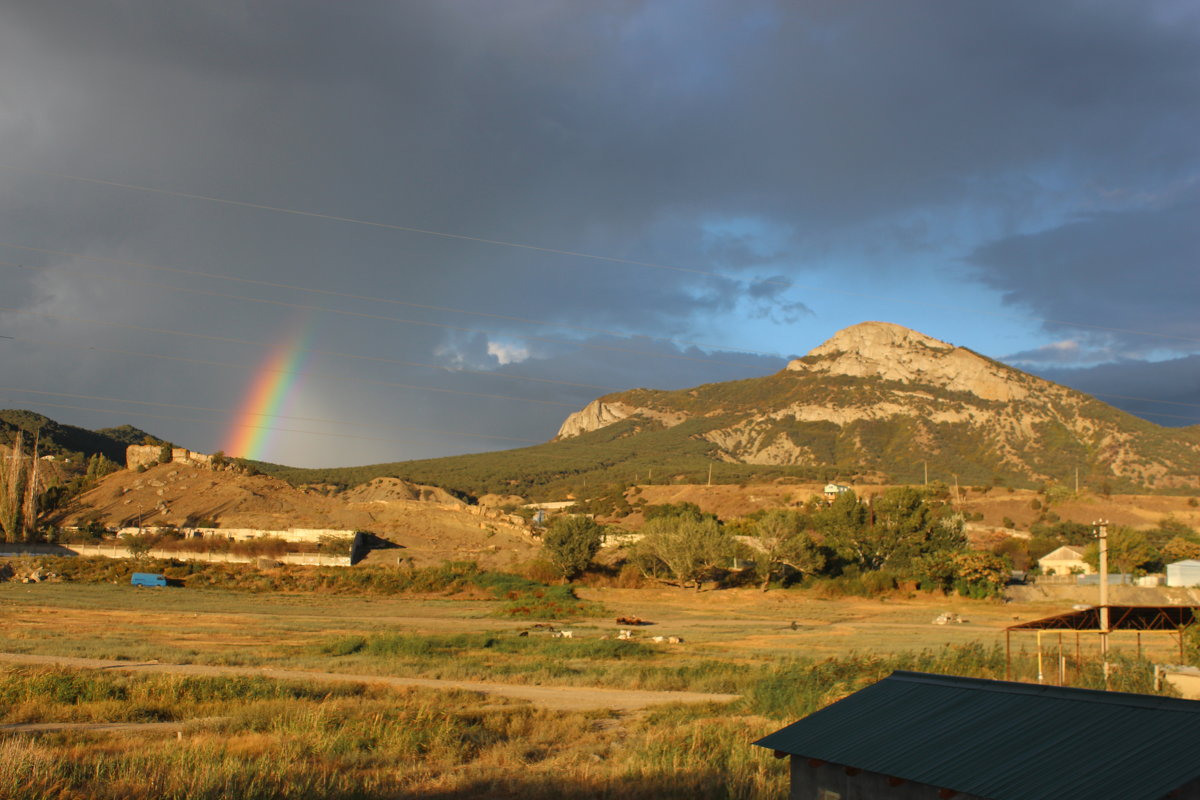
(1006, 741)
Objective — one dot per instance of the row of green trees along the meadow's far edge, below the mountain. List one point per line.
(903, 536)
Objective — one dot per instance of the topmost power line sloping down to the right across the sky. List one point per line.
(555, 251)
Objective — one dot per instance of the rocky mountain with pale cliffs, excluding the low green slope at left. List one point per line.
(887, 400)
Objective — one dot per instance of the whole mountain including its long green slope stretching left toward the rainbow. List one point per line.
(877, 402)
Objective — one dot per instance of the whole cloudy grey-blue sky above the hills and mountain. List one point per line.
(467, 220)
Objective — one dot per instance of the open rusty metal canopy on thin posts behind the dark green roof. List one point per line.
(1173, 621)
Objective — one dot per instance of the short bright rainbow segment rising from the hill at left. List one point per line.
(253, 430)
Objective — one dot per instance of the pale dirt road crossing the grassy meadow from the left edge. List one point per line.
(563, 699)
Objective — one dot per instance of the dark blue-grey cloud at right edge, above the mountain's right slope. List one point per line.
(1132, 272)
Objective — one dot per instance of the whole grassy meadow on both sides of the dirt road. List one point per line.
(787, 653)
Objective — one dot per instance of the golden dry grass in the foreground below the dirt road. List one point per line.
(285, 739)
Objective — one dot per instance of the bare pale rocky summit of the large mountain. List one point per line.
(896, 353)
